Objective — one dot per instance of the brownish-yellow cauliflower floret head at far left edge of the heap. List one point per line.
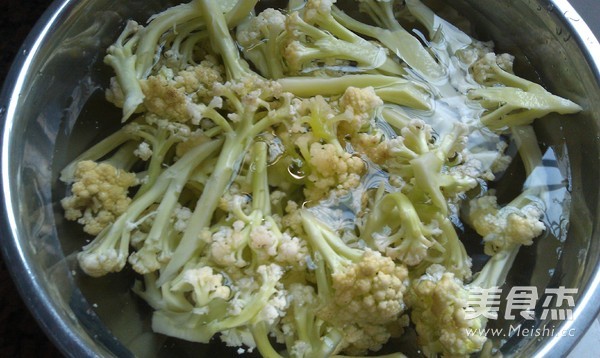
(99, 195)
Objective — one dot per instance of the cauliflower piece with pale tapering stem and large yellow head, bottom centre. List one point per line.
(366, 287)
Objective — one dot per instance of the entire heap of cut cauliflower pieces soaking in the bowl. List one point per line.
(302, 174)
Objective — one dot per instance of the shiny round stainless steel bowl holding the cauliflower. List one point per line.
(52, 107)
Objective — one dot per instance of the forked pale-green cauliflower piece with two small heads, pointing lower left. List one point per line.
(109, 250)
